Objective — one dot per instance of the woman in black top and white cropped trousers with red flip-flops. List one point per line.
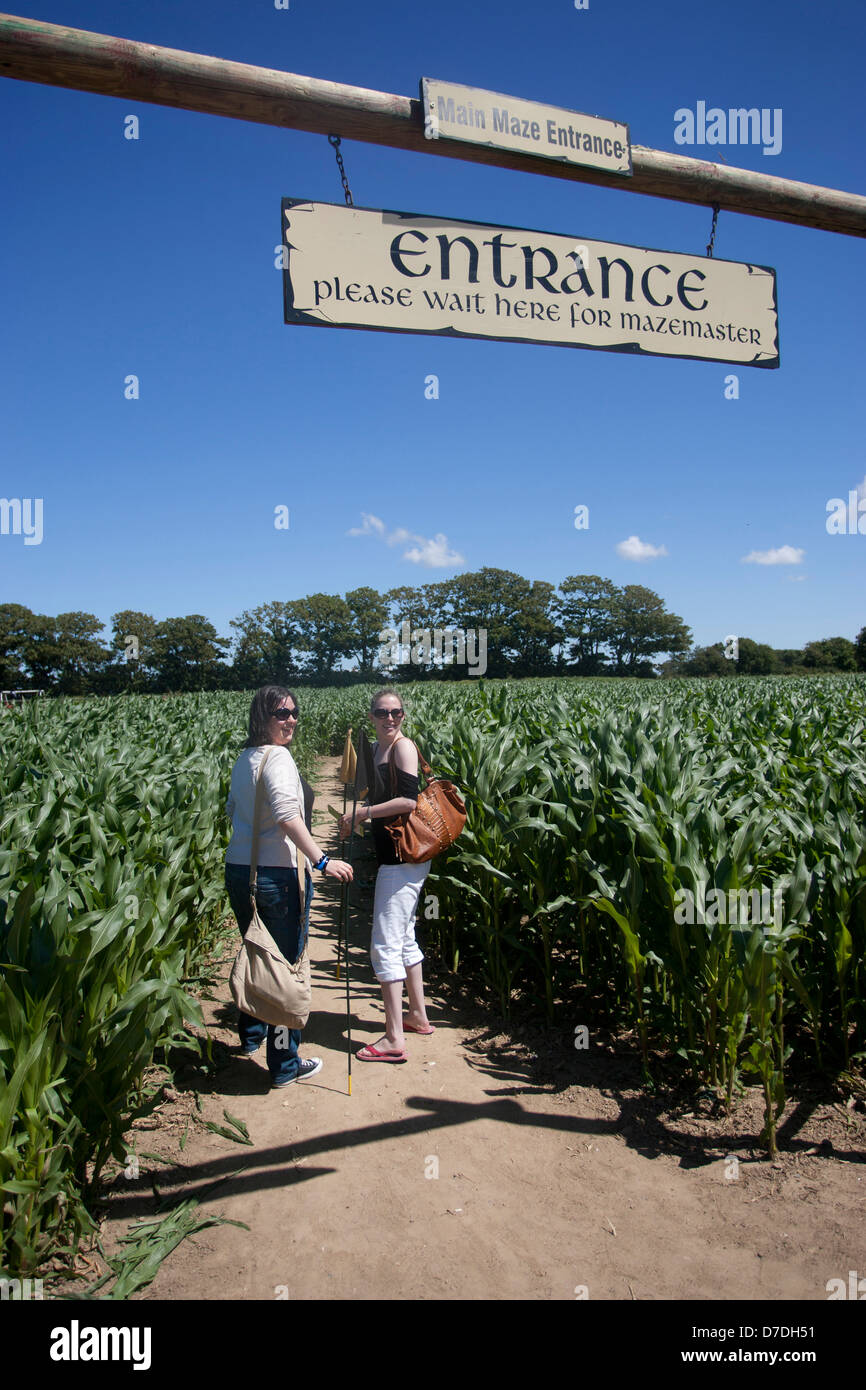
(394, 949)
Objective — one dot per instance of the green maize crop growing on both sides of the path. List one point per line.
(623, 846)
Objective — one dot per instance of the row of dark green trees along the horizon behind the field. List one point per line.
(586, 626)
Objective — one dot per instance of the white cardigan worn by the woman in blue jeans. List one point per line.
(283, 801)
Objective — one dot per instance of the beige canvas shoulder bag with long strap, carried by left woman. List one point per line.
(263, 983)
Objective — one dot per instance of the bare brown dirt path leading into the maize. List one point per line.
(541, 1189)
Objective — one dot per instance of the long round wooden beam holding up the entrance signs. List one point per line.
(35, 52)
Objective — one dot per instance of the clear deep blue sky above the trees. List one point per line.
(156, 258)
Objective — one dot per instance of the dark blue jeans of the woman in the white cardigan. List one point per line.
(279, 907)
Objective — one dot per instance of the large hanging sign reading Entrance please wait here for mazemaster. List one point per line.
(354, 268)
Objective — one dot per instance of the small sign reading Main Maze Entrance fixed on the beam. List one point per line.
(508, 123)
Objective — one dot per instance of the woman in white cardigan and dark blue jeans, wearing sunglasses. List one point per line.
(284, 828)
